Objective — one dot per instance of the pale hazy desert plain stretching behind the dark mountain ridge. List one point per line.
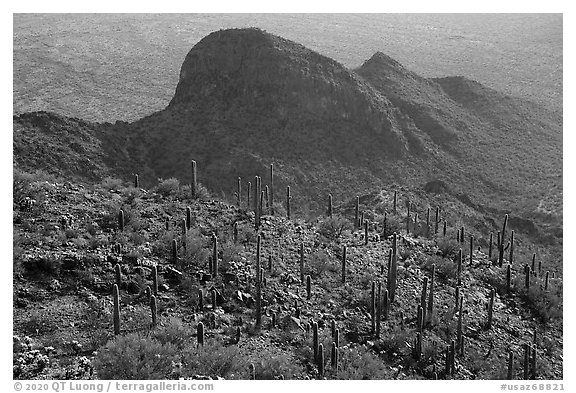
(107, 67)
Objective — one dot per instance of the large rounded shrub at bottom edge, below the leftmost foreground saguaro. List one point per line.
(135, 356)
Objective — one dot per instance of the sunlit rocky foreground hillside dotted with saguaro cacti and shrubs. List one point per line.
(71, 247)
